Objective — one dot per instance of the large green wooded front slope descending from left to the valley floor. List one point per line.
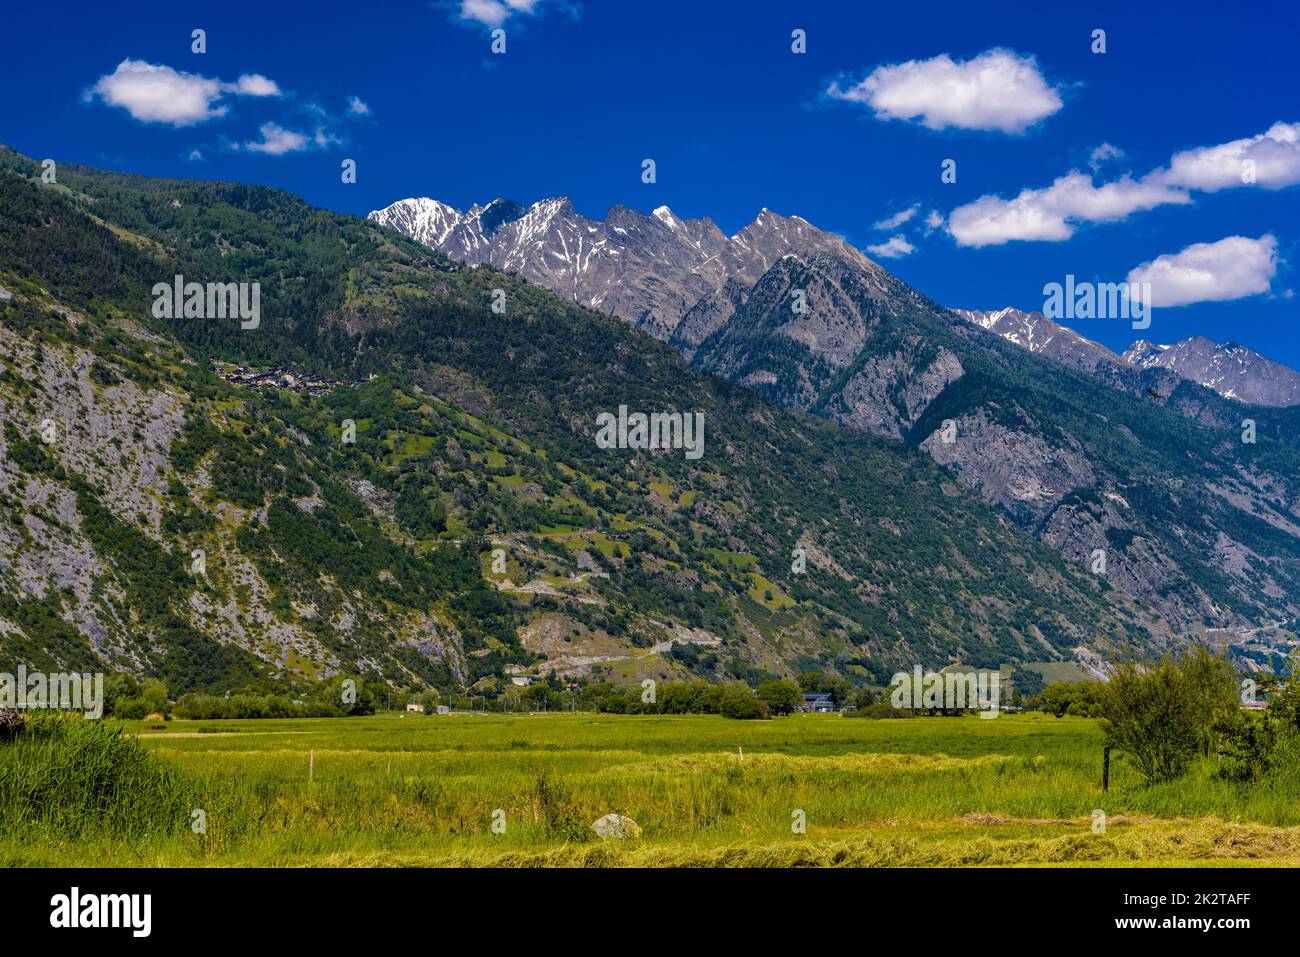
(475, 522)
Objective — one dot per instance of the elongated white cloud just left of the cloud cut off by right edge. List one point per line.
(1051, 214)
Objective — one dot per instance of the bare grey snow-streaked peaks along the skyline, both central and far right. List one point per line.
(681, 280)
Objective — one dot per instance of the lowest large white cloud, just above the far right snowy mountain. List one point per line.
(1211, 272)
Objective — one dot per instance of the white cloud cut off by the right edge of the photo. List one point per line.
(1271, 159)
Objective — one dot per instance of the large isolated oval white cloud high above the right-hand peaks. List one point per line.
(998, 90)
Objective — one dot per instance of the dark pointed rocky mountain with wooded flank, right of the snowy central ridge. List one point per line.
(1193, 521)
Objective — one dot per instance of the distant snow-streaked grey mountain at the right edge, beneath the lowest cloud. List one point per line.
(1232, 371)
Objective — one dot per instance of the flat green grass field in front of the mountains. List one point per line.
(397, 791)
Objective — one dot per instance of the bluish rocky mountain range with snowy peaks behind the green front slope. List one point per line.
(1086, 451)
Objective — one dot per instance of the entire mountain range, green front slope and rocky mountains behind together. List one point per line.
(396, 473)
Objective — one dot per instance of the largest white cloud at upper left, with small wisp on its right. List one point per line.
(157, 94)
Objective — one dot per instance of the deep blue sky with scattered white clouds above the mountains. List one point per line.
(847, 136)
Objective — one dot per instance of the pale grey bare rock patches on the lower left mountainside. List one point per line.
(120, 438)
